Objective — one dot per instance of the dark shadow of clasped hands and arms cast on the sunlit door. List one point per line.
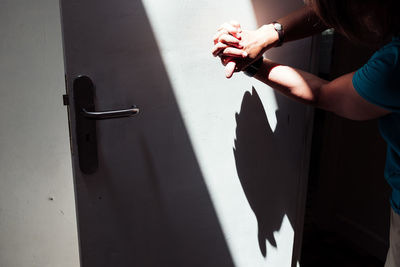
(260, 168)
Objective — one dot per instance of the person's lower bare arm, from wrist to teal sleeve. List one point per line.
(338, 96)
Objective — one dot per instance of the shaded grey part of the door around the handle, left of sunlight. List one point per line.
(146, 203)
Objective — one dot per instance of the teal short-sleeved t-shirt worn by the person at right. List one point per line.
(378, 81)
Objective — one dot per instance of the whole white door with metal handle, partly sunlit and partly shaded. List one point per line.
(174, 165)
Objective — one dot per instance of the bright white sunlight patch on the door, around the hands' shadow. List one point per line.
(208, 103)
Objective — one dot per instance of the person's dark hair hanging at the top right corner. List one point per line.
(361, 20)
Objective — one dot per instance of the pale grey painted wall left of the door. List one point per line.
(37, 210)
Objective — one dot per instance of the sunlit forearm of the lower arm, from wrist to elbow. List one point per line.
(299, 85)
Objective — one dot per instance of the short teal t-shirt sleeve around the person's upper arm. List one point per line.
(378, 80)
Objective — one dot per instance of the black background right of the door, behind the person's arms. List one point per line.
(347, 214)
